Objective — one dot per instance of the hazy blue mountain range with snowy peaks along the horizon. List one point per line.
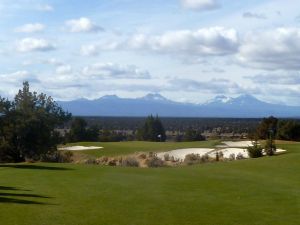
(244, 106)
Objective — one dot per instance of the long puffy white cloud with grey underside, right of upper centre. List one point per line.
(203, 42)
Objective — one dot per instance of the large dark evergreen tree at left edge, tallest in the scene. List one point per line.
(28, 125)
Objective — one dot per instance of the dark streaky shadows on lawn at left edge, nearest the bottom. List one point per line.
(13, 197)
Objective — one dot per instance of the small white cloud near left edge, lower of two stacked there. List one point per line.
(34, 44)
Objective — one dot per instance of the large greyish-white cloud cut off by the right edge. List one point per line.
(272, 50)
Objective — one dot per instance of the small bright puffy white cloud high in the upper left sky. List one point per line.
(82, 25)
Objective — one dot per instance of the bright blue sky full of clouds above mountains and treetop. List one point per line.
(185, 50)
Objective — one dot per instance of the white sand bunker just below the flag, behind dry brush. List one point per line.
(179, 154)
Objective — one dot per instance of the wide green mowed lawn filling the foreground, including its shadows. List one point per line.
(261, 191)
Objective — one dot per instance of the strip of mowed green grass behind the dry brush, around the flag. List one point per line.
(126, 148)
